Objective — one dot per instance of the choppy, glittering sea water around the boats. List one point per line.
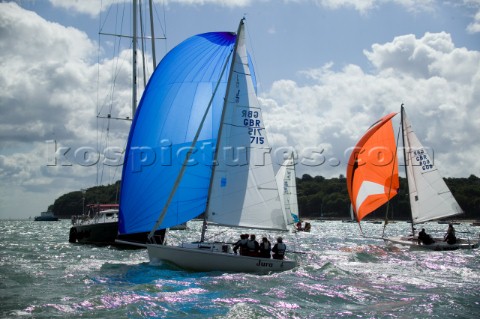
(341, 275)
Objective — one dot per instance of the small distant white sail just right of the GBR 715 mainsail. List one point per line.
(287, 186)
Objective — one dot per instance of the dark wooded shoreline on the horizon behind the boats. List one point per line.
(318, 197)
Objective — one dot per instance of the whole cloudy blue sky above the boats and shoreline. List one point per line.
(326, 71)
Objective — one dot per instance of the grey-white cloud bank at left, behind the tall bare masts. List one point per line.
(48, 91)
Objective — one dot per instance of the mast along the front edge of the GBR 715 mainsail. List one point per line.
(225, 102)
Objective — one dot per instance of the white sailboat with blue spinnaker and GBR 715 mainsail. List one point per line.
(201, 107)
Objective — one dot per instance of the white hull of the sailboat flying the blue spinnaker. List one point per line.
(214, 257)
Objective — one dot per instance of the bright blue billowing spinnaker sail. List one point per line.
(163, 128)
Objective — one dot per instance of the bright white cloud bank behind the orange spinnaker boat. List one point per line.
(438, 83)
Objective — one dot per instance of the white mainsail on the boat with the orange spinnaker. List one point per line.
(430, 197)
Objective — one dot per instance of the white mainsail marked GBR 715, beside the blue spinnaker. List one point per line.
(244, 191)
